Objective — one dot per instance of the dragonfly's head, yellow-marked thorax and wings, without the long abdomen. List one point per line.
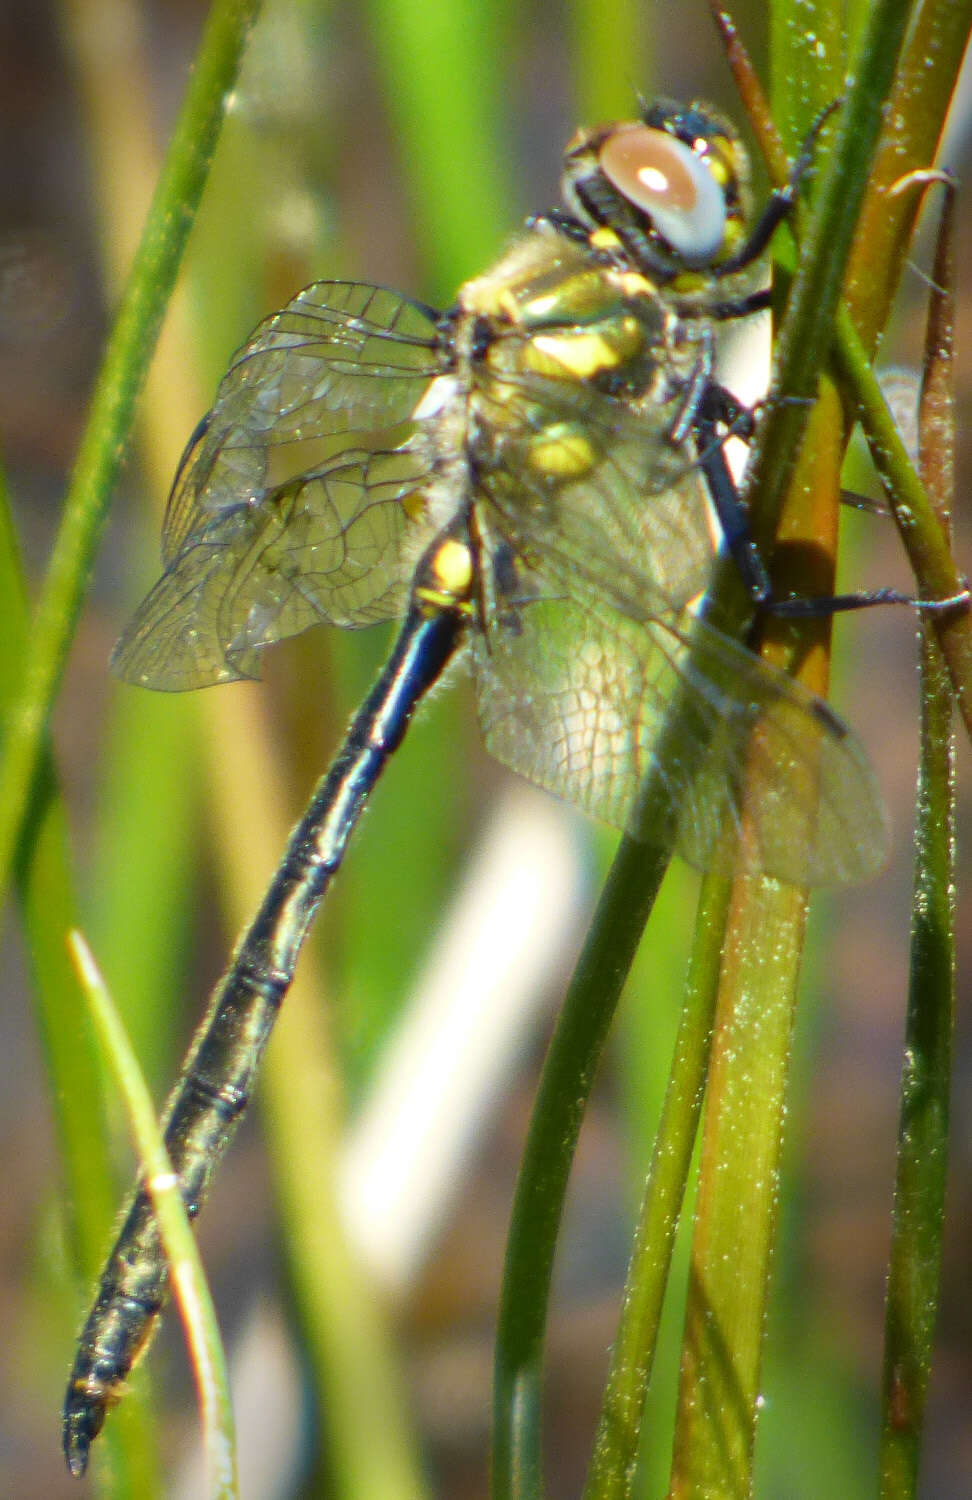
(550, 421)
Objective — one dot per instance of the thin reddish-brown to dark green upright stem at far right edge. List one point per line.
(914, 1277)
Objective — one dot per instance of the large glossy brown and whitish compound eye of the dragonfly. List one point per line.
(671, 187)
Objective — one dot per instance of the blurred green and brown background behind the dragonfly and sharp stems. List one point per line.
(400, 145)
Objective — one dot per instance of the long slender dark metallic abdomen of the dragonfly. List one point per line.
(218, 1081)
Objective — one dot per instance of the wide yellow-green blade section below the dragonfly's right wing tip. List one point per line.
(739, 1195)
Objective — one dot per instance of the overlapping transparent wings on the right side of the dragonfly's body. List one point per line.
(593, 676)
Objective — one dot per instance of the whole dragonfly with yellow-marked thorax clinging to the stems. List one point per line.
(535, 482)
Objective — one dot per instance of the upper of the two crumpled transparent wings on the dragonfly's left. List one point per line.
(343, 361)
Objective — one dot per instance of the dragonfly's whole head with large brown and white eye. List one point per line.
(670, 191)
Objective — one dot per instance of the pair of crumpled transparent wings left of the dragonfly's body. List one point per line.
(289, 506)
